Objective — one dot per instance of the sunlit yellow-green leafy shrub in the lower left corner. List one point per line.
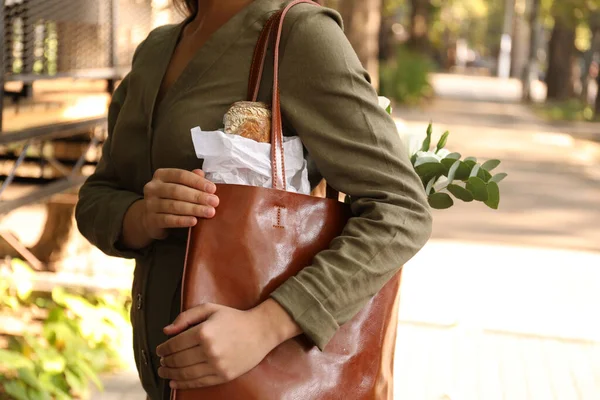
(81, 335)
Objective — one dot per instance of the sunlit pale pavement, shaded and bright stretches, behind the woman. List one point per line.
(500, 304)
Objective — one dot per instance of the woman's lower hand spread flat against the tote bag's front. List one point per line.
(226, 344)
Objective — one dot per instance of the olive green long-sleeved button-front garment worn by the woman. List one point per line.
(327, 100)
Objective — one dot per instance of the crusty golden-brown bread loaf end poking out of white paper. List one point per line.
(251, 120)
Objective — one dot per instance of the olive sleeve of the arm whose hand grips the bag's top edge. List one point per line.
(103, 202)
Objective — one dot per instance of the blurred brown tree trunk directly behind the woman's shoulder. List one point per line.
(362, 21)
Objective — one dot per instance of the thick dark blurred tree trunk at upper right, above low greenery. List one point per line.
(560, 61)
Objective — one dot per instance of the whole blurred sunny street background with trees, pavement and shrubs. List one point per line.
(500, 304)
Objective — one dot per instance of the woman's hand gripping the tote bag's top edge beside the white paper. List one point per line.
(174, 198)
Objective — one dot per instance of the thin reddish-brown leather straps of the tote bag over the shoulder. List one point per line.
(275, 22)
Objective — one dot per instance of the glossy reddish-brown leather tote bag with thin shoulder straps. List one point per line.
(259, 238)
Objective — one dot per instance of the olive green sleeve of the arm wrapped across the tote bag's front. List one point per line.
(327, 99)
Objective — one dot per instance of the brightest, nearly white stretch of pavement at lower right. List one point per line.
(492, 322)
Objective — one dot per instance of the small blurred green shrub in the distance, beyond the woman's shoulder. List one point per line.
(406, 79)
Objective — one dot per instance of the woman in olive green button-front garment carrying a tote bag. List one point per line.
(148, 187)
